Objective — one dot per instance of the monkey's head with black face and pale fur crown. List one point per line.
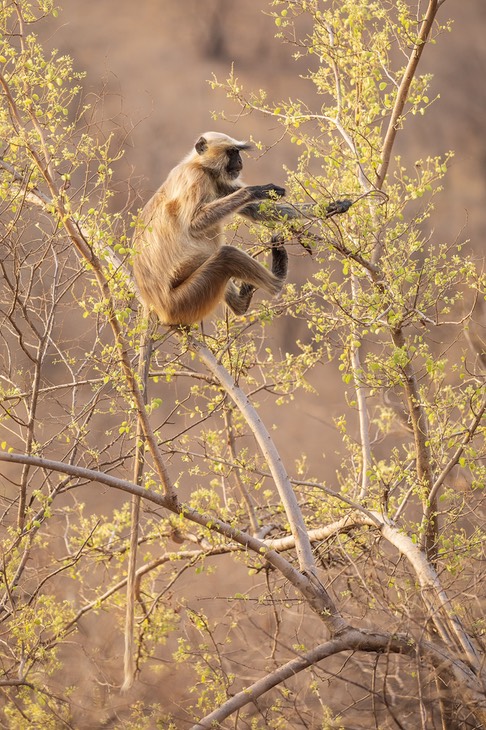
(220, 154)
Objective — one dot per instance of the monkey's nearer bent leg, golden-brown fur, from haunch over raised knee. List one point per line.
(194, 297)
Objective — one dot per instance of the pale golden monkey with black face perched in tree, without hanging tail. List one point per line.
(181, 264)
